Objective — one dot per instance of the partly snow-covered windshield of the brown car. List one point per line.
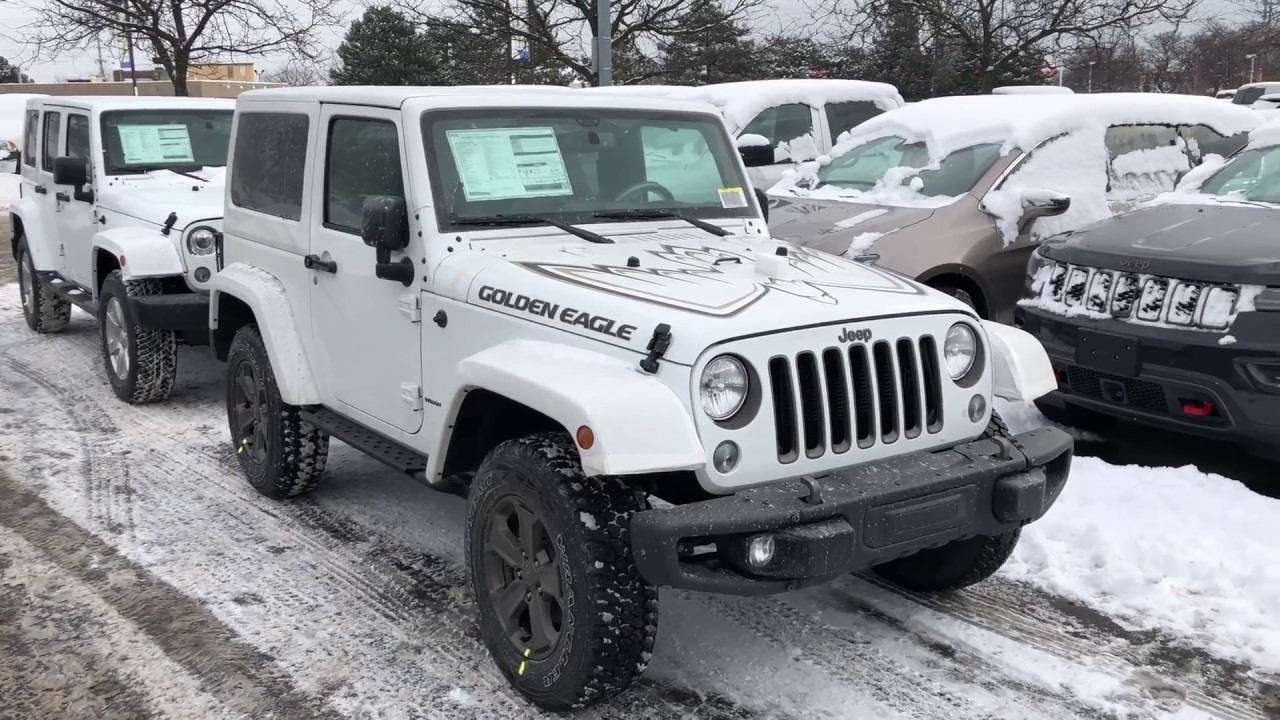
(870, 165)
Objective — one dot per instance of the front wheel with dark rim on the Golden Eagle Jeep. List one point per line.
(564, 609)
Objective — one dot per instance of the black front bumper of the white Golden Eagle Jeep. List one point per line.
(851, 520)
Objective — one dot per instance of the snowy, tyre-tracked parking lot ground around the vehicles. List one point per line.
(140, 575)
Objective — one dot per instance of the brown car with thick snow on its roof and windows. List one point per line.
(957, 192)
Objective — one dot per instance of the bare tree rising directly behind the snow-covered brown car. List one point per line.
(994, 35)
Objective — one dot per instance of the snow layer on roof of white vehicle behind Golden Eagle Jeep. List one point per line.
(740, 102)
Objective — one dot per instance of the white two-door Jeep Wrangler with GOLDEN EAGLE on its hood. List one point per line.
(569, 309)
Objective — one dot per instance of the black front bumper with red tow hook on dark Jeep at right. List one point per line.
(1177, 380)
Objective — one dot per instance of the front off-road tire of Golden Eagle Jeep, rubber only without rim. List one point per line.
(612, 616)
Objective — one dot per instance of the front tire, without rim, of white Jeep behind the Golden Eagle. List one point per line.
(153, 354)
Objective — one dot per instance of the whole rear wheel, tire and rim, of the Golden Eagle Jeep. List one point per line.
(282, 455)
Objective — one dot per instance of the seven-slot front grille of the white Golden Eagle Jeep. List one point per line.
(857, 397)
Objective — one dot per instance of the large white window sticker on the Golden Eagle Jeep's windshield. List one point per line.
(506, 163)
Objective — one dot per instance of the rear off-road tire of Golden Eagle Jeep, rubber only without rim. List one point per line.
(296, 452)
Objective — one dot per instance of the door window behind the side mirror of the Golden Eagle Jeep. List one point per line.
(363, 160)
